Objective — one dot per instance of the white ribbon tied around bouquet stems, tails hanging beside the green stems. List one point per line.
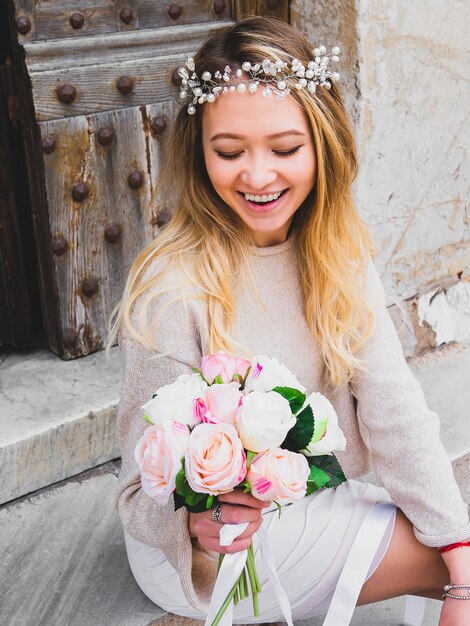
(231, 568)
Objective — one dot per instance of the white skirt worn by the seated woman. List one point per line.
(310, 542)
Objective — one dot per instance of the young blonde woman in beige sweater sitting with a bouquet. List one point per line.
(266, 254)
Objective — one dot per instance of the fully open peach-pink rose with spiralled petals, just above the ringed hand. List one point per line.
(215, 461)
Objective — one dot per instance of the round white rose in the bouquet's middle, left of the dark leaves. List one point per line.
(264, 420)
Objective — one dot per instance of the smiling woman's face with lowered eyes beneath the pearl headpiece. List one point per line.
(260, 158)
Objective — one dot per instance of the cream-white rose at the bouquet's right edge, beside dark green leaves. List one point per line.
(327, 435)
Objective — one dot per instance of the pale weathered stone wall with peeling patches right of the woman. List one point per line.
(405, 70)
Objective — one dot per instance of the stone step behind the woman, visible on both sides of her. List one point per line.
(57, 418)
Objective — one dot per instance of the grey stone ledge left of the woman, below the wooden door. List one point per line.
(57, 418)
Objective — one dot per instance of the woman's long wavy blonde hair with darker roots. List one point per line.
(332, 243)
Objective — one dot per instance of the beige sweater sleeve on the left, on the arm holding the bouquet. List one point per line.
(144, 371)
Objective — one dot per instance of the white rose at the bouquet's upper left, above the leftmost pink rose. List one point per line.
(178, 402)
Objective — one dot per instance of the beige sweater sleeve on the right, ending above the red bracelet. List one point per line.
(402, 434)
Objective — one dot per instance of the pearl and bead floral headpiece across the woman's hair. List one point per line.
(273, 75)
